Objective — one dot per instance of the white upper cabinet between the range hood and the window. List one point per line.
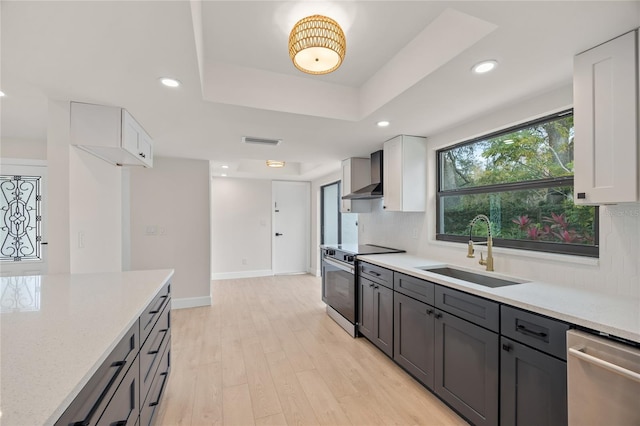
(405, 174)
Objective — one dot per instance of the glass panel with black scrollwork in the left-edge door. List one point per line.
(20, 229)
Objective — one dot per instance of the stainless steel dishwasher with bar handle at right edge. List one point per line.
(603, 381)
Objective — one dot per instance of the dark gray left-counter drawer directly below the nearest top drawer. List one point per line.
(124, 407)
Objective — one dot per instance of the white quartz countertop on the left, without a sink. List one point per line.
(56, 330)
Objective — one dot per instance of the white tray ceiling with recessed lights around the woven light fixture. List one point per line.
(407, 62)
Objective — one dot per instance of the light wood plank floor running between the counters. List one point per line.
(266, 353)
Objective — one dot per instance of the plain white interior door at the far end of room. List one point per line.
(291, 224)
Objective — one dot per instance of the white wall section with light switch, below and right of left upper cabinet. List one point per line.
(170, 226)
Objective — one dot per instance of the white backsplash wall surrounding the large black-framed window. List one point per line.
(617, 271)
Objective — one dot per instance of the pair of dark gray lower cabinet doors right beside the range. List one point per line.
(376, 314)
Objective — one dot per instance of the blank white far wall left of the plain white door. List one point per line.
(241, 227)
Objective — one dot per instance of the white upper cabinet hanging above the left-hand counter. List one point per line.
(110, 133)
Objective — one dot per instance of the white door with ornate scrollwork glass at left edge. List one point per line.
(23, 225)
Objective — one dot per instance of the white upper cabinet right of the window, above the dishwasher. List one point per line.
(605, 96)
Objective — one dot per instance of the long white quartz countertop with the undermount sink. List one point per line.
(615, 315)
